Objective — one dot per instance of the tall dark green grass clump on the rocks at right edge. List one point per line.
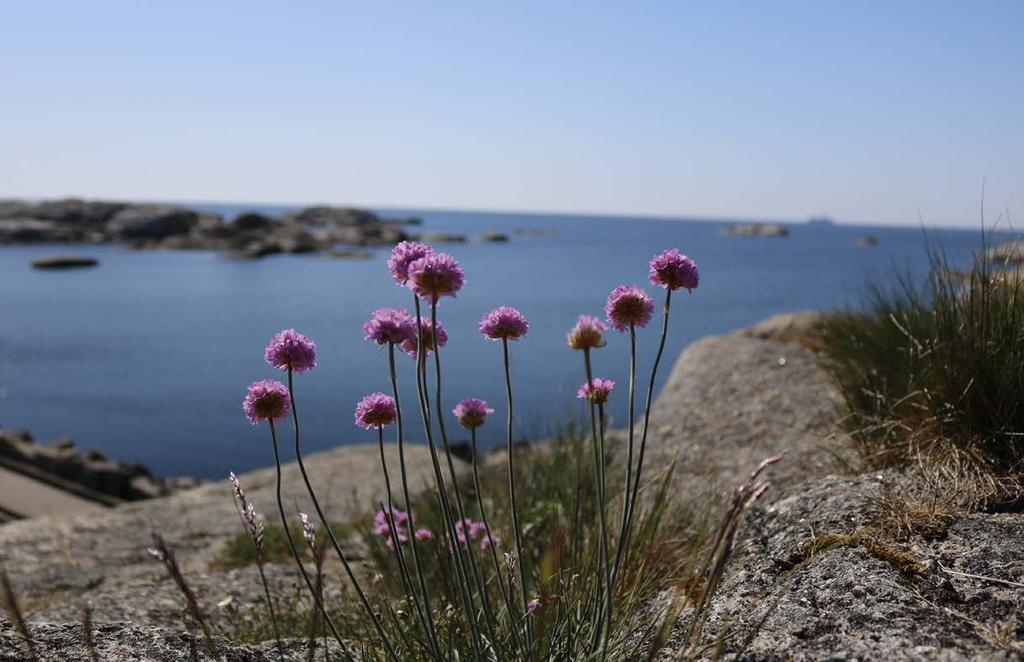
(936, 369)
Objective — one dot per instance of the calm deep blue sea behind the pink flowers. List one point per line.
(148, 357)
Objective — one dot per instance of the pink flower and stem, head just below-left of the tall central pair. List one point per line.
(393, 327)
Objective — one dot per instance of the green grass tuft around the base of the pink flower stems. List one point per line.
(673, 545)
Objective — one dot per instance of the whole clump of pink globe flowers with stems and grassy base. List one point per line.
(557, 553)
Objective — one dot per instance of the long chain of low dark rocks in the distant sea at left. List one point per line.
(168, 227)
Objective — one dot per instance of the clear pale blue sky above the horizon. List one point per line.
(865, 111)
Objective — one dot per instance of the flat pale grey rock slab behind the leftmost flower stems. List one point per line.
(60, 563)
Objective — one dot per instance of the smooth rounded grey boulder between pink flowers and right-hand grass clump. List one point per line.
(735, 400)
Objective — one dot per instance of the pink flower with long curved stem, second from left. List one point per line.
(293, 353)
